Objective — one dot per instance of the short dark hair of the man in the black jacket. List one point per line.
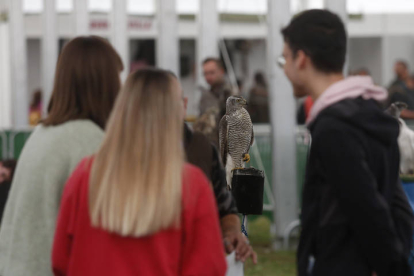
(322, 36)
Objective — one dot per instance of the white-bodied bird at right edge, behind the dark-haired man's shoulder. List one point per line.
(405, 139)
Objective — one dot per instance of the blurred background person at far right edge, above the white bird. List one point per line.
(402, 90)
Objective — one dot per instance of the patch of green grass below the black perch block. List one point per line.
(271, 263)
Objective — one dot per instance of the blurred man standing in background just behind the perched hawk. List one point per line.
(213, 101)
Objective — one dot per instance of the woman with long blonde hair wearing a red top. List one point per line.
(136, 208)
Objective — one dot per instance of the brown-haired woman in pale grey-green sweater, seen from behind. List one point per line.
(87, 81)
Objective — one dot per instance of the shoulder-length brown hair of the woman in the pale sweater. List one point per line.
(86, 82)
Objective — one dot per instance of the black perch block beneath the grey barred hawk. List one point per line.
(247, 188)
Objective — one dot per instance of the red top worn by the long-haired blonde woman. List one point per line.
(194, 249)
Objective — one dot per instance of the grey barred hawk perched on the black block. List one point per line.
(235, 135)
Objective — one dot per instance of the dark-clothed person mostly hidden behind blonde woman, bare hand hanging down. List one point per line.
(202, 153)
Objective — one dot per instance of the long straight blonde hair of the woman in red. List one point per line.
(136, 178)
